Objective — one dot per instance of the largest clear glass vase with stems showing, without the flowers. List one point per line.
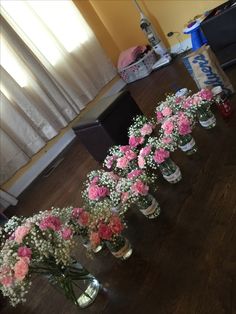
(75, 282)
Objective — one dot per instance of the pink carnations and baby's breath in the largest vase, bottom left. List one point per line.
(33, 246)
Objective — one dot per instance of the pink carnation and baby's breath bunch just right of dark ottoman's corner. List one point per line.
(140, 130)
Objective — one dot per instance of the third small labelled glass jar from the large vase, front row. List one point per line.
(170, 171)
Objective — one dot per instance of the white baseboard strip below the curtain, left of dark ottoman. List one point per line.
(41, 164)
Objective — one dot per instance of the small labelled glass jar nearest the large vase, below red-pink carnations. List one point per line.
(120, 247)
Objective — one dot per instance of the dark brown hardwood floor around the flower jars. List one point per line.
(184, 262)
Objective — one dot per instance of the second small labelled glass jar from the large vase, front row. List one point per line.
(149, 206)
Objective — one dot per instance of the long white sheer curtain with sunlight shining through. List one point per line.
(51, 66)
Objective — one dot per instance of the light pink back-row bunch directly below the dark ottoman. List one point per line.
(121, 159)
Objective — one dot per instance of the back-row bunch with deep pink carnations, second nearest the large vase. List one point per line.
(100, 186)
